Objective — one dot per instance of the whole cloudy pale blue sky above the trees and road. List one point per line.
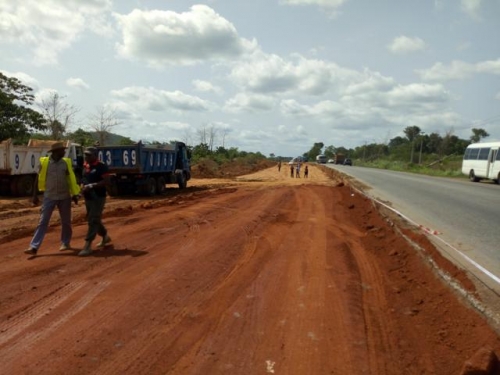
(274, 76)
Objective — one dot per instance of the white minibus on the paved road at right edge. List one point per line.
(482, 161)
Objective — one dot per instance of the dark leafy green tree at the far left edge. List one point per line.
(17, 121)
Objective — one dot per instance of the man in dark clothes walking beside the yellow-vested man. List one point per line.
(94, 192)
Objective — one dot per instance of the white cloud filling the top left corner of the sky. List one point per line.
(49, 26)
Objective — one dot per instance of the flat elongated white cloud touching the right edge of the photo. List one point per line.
(459, 70)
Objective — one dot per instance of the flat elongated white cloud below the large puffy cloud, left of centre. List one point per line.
(151, 99)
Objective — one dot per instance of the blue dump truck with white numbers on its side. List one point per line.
(145, 169)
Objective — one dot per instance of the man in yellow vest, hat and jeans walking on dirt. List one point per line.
(57, 181)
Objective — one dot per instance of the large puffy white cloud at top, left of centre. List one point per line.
(170, 38)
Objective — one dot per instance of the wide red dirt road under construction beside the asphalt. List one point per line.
(263, 275)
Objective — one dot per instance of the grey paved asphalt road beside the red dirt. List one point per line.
(466, 214)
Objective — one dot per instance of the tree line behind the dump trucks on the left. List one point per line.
(52, 118)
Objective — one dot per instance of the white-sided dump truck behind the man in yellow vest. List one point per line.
(19, 164)
